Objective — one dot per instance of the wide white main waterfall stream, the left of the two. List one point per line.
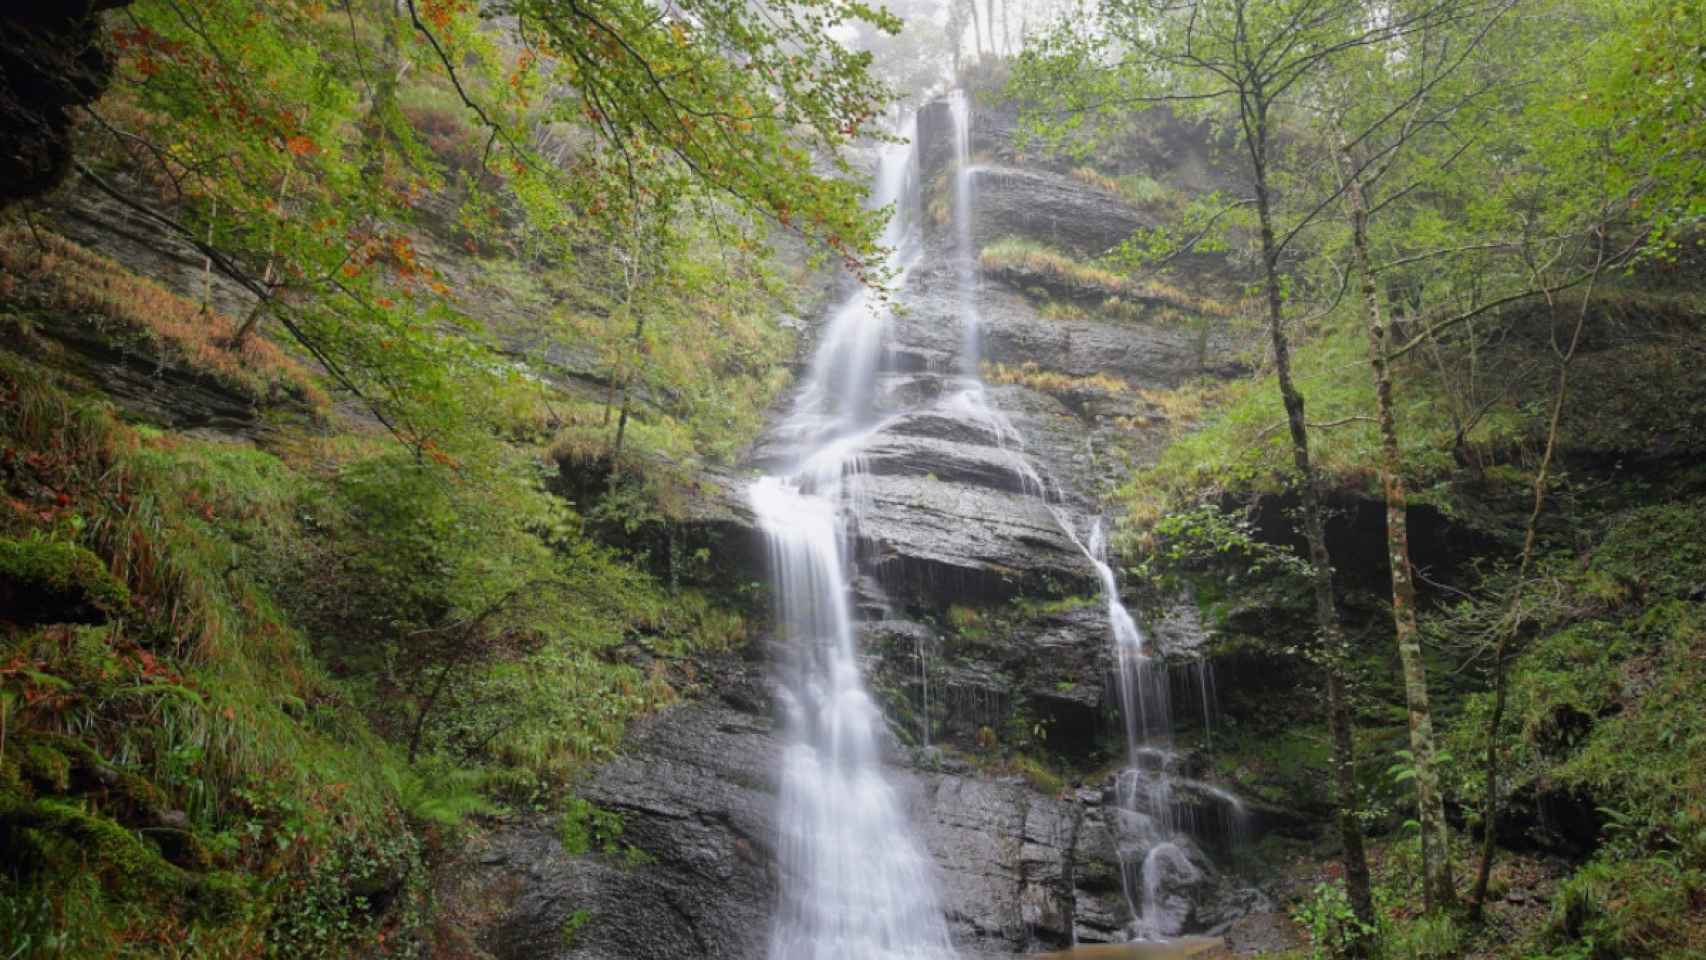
(856, 884)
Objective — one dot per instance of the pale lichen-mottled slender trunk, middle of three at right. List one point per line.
(1437, 888)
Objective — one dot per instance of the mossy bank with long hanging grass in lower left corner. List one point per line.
(171, 756)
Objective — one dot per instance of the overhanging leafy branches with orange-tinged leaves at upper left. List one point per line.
(236, 117)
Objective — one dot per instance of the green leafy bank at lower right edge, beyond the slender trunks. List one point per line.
(1606, 708)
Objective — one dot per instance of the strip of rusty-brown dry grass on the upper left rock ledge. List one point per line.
(59, 275)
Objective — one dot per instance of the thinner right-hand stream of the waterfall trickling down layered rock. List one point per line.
(1154, 860)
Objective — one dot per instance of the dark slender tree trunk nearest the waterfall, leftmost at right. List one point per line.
(1357, 882)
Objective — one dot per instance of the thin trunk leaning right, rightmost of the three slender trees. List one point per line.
(1512, 625)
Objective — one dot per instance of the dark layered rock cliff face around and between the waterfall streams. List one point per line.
(978, 632)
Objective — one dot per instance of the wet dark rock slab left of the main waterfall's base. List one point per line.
(695, 790)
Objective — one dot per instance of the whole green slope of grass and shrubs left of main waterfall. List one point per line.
(245, 695)
